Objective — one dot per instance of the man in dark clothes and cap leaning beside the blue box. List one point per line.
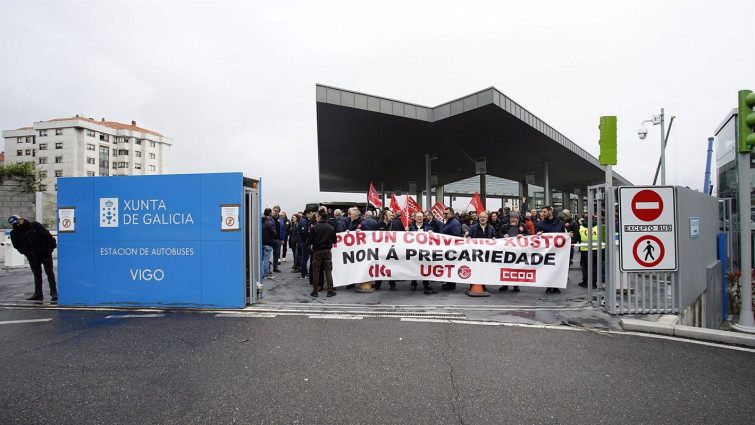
(36, 243)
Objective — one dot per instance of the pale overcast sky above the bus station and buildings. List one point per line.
(233, 83)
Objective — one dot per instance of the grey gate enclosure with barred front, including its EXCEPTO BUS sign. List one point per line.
(661, 252)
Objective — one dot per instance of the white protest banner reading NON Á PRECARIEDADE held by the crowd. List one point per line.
(539, 260)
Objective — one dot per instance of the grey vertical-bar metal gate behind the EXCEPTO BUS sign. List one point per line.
(622, 292)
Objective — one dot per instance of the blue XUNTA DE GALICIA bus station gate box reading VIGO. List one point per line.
(182, 240)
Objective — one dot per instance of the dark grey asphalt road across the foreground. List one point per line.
(82, 367)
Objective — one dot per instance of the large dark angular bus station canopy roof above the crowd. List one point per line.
(364, 138)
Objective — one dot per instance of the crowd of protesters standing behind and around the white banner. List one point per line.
(310, 235)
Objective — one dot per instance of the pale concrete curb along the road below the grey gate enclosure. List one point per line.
(704, 334)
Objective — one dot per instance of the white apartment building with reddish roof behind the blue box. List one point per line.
(78, 146)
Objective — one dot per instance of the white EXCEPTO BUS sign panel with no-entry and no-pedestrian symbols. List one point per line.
(647, 228)
